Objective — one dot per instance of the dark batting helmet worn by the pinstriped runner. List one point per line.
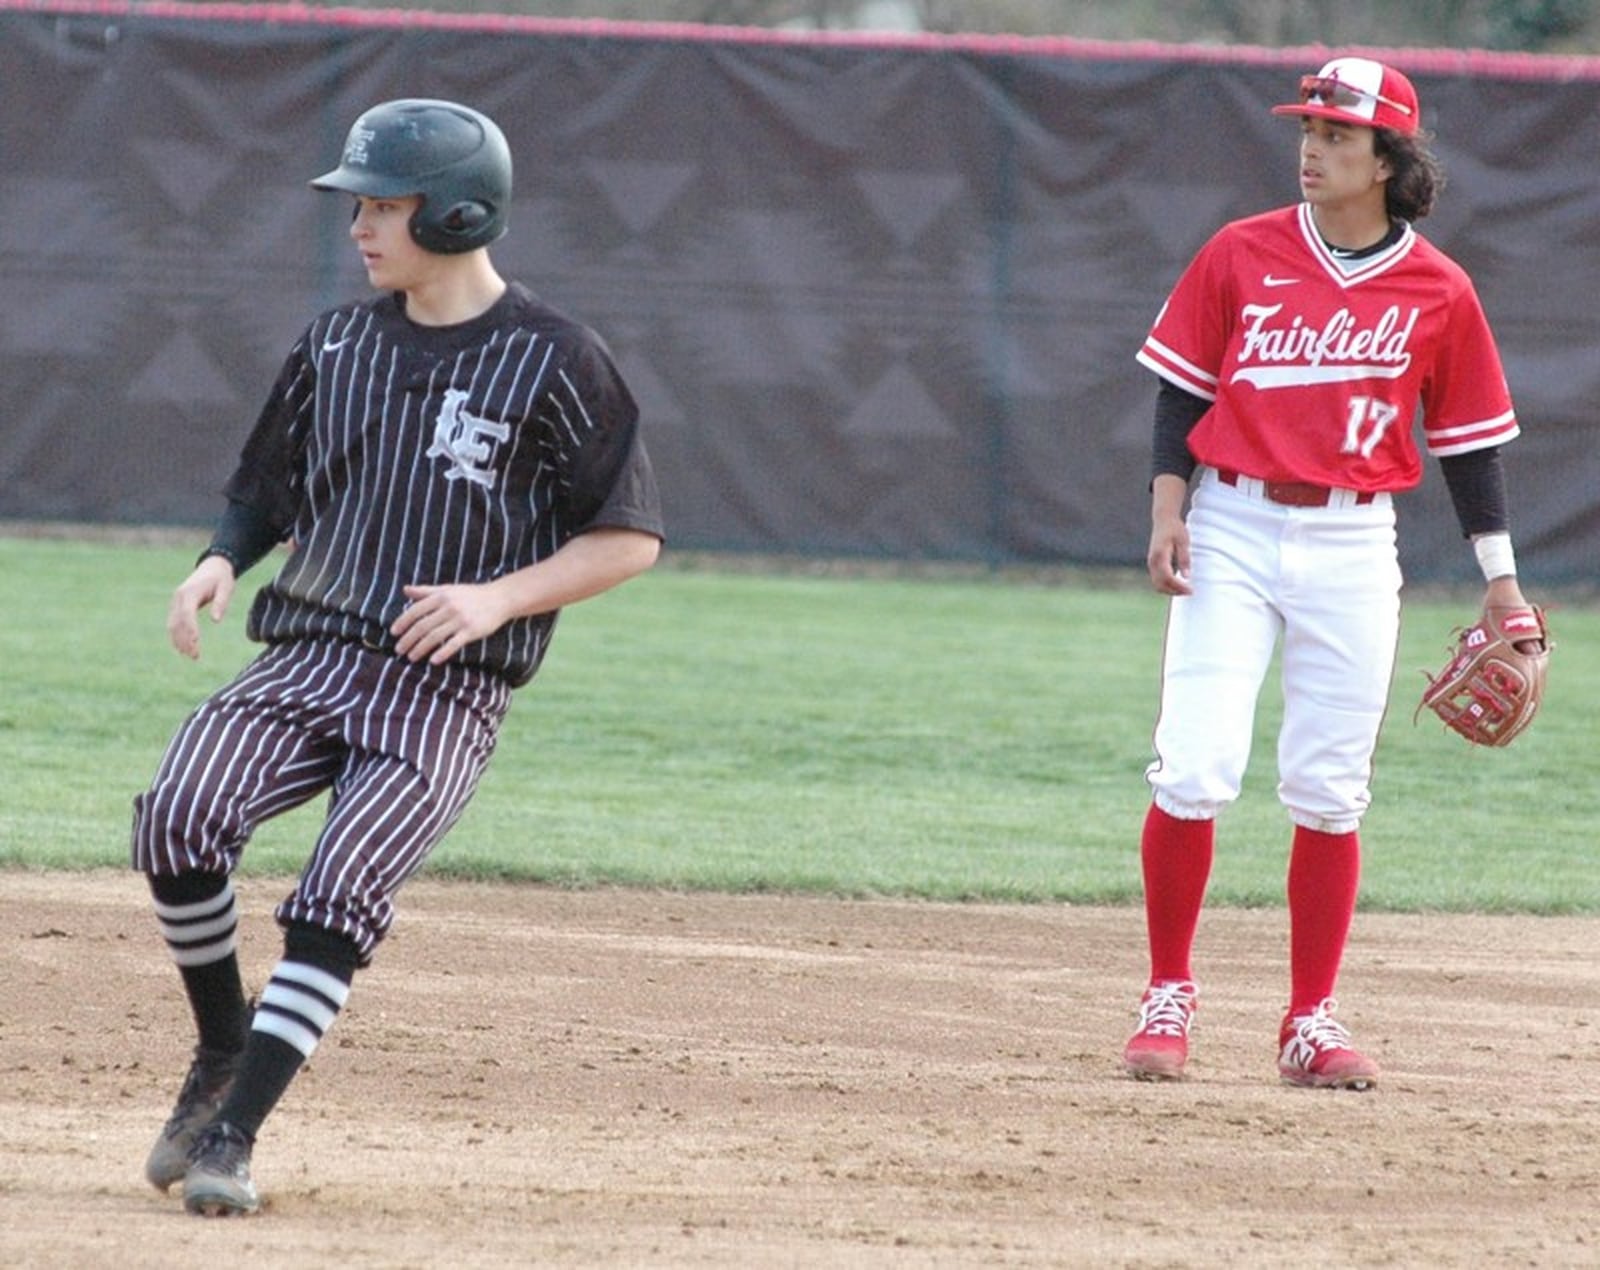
(450, 154)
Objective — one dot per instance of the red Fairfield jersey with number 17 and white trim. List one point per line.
(1316, 369)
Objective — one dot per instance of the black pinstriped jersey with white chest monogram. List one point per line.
(391, 453)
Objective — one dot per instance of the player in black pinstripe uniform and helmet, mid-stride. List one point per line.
(450, 465)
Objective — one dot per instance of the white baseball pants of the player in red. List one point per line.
(1324, 581)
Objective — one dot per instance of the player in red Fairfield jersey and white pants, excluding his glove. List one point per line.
(1294, 356)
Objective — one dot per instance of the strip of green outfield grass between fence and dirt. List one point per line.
(708, 727)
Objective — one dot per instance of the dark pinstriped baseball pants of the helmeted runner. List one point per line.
(399, 748)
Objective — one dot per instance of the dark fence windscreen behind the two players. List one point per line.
(876, 298)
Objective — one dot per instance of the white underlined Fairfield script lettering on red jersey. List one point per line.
(1292, 354)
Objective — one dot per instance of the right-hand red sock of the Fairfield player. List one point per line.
(1326, 871)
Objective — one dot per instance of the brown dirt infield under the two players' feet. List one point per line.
(534, 1077)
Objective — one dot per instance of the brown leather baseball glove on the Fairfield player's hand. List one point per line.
(1494, 684)
